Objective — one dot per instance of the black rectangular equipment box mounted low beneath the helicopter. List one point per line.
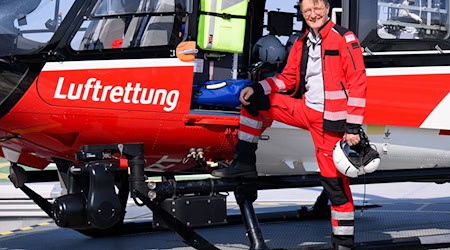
(195, 211)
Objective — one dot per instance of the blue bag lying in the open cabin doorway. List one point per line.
(222, 93)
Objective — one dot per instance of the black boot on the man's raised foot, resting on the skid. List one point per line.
(243, 166)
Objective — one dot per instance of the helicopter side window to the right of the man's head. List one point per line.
(404, 25)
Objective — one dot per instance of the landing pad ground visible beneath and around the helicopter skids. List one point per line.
(411, 212)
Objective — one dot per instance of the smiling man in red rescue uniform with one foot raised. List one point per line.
(322, 89)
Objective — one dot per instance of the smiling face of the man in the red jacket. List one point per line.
(315, 13)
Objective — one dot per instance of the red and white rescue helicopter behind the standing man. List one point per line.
(113, 92)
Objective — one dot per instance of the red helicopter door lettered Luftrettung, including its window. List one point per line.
(125, 59)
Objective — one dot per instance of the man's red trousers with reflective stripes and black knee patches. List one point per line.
(294, 112)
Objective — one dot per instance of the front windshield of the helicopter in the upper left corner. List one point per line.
(26, 26)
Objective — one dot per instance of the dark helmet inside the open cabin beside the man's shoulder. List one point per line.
(269, 49)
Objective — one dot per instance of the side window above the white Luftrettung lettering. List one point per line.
(133, 23)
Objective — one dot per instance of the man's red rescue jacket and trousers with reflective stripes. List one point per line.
(344, 105)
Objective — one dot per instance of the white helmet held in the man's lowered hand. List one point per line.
(352, 163)
